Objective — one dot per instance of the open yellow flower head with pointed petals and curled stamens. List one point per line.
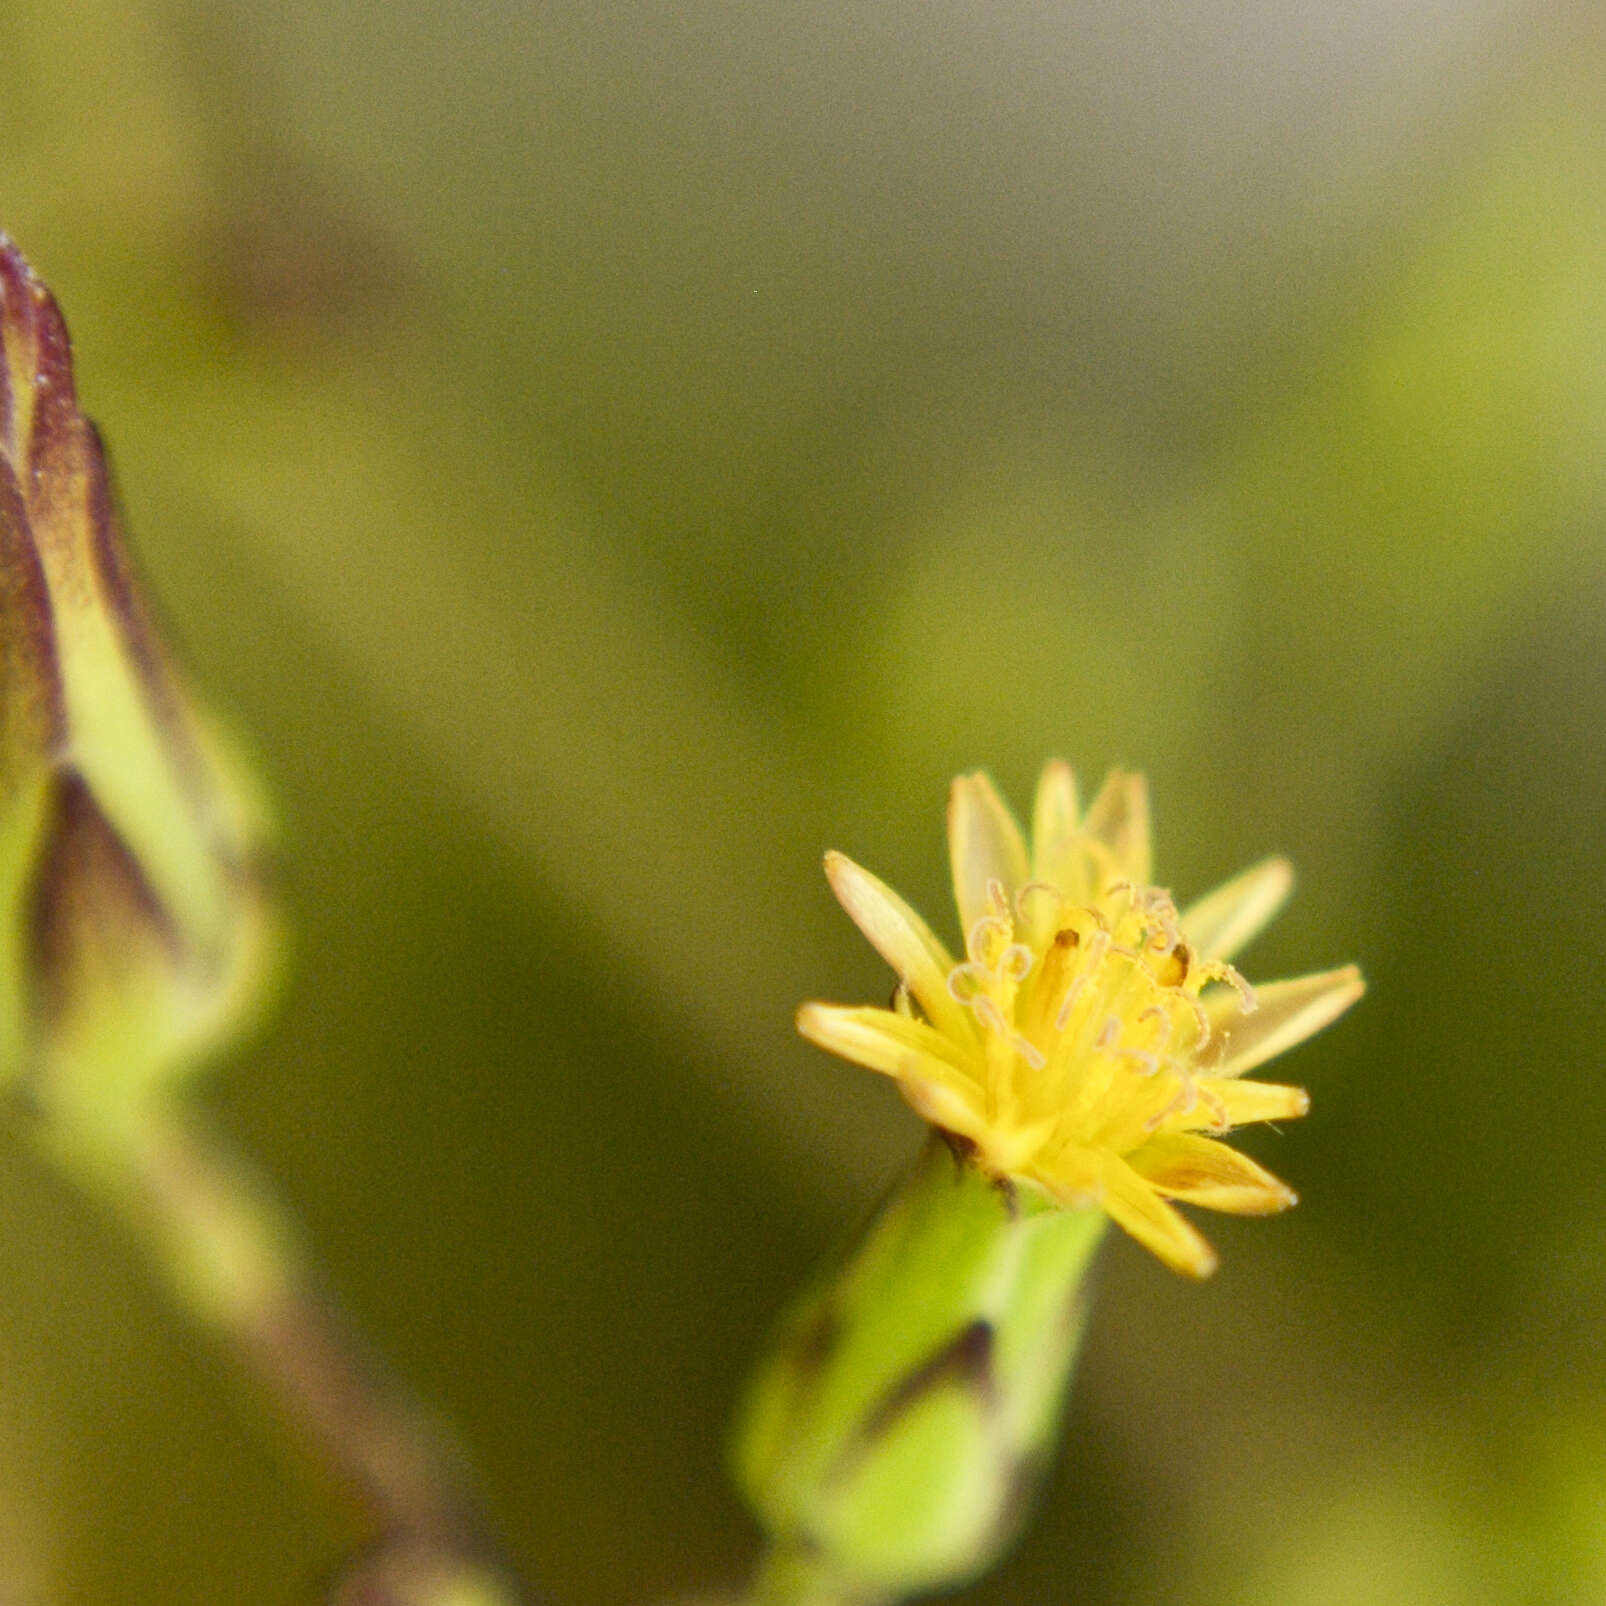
(1093, 1041)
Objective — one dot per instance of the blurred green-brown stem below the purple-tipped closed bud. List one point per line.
(237, 1263)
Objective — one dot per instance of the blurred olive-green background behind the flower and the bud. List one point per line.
(606, 455)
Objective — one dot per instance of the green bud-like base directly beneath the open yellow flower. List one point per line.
(897, 1429)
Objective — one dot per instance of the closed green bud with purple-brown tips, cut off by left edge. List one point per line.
(132, 916)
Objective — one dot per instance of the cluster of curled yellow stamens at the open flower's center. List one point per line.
(1093, 1030)
